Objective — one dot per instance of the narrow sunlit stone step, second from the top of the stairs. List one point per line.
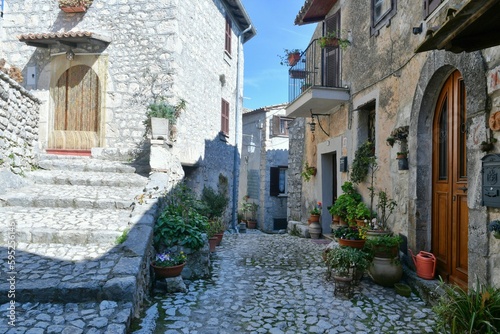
(100, 179)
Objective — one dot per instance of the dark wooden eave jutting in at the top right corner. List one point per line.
(474, 26)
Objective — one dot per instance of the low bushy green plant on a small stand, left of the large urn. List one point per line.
(344, 260)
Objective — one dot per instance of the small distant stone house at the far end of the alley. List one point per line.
(264, 165)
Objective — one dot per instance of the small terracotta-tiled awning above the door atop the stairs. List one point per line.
(69, 38)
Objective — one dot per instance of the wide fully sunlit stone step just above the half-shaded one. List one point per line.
(64, 225)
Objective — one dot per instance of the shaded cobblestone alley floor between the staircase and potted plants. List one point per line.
(276, 284)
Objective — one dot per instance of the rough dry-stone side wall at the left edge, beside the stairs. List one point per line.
(18, 126)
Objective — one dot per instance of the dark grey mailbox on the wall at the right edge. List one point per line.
(491, 180)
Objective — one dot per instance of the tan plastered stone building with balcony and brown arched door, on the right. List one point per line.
(428, 68)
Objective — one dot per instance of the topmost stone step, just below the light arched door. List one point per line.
(84, 164)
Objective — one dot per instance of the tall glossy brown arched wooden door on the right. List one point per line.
(450, 213)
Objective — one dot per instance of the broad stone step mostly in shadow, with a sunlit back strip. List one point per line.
(68, 273)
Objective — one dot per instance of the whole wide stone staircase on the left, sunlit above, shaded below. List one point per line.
(59, 245)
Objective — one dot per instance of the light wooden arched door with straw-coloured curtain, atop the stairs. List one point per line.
(76, 110)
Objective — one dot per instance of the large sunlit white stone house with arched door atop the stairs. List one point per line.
(96, 69)
